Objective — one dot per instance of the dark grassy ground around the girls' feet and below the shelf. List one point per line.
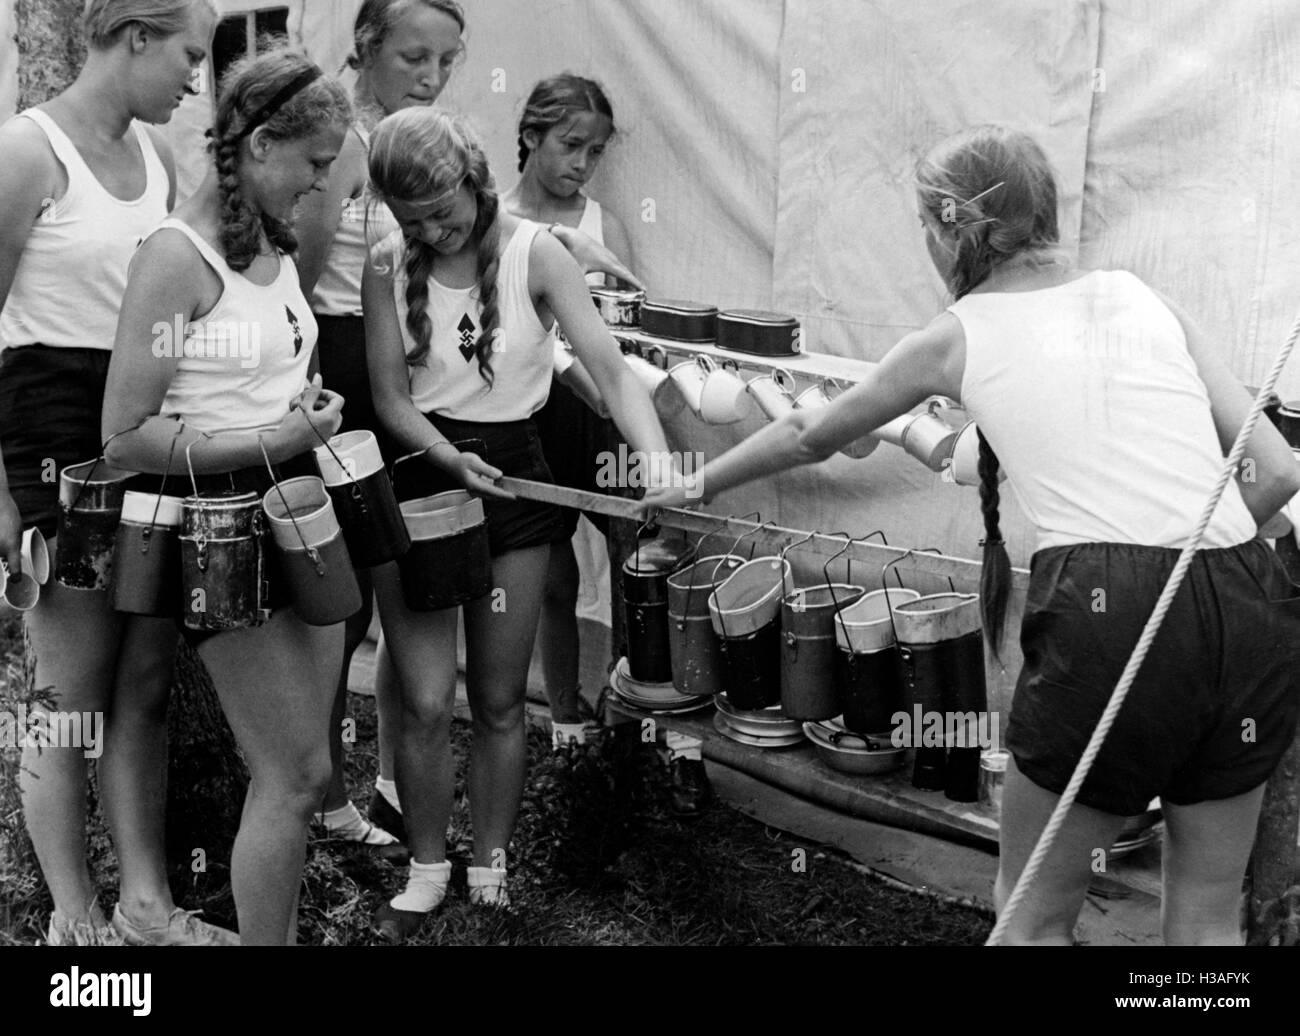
(599, 861)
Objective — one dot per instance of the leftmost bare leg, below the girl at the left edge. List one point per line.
(75, 636)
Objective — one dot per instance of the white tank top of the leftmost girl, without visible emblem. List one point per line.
(72, 275)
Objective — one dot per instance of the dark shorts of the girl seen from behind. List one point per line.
(1215, 705)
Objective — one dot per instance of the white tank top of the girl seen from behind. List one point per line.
(1095, 408)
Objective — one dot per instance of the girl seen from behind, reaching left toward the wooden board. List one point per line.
(1113, 418)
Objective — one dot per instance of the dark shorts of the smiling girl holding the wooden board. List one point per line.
(513, 447)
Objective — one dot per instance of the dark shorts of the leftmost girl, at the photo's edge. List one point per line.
(51, 404)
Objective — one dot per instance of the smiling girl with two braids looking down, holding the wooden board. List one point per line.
(460, 310)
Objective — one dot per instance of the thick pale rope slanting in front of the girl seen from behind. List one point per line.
(1145, 643)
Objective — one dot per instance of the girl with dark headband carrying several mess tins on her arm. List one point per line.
(224, 263)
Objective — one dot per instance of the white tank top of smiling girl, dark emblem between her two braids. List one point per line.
(448, 382)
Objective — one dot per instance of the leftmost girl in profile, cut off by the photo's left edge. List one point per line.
(77, 196)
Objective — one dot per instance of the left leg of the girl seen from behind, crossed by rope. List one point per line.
(1050, 911)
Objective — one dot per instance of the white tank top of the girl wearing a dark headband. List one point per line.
(246, 361)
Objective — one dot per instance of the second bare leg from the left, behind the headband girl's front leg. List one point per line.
(133, 773)
